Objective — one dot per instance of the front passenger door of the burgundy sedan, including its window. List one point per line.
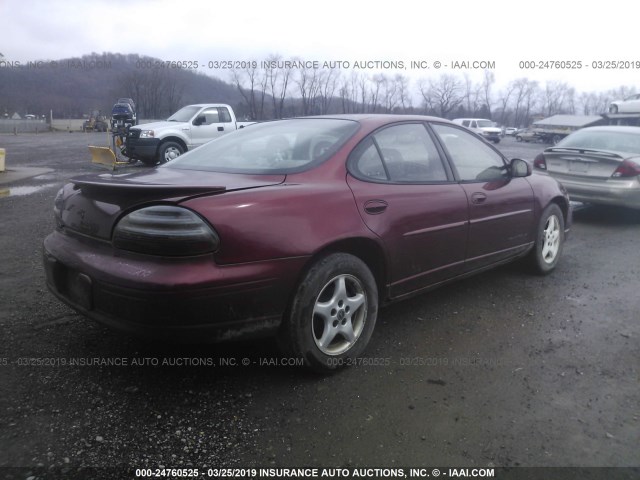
(501, 208)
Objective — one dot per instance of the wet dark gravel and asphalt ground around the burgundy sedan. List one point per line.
(504, 369)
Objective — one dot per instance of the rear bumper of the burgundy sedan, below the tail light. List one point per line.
(178, 300)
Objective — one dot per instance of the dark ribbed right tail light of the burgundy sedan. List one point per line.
(165, 230)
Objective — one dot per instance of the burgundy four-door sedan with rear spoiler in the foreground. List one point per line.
(299, 228)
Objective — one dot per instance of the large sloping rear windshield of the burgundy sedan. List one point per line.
(282, 146)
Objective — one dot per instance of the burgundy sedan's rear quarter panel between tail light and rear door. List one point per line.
(287, 220)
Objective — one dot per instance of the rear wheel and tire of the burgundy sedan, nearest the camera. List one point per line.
(333, 313)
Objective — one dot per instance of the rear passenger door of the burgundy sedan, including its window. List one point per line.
(406, 195)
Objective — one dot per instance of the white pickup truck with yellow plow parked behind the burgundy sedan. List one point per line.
(189, 127)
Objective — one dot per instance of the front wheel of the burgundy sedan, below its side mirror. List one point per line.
(549, 240)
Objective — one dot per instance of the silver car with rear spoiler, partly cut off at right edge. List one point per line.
(598, 165)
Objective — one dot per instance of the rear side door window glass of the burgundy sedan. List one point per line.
(401, 153)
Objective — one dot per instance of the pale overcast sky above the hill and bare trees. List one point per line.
(504, 32)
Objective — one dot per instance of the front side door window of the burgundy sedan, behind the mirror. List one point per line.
(474, 160)
